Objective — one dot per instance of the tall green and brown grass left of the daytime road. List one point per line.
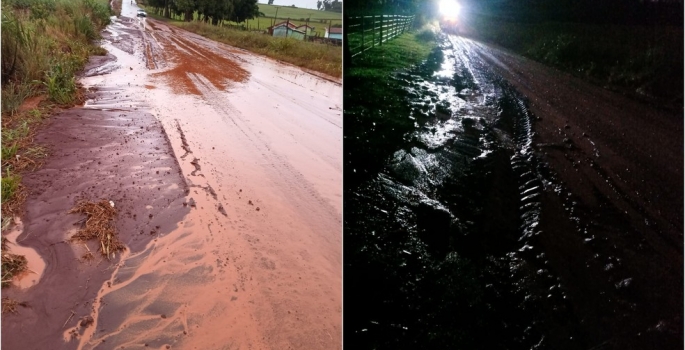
(46, 41)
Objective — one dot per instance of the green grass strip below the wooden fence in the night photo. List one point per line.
(375, 99)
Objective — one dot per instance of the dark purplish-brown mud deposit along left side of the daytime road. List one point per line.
(120, 156)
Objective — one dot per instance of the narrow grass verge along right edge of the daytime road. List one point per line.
(322, 58)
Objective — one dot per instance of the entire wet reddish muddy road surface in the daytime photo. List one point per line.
(226, 170)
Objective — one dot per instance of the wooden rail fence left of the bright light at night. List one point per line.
(365, 32)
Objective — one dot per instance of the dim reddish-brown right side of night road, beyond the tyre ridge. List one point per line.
(622, 163)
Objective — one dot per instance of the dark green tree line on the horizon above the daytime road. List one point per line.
(210, 11)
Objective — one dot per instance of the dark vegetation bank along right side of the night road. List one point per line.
(646, 60)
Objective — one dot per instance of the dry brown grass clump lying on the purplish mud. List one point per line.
(99, 224)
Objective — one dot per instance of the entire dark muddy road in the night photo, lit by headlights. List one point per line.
(518, 208)
